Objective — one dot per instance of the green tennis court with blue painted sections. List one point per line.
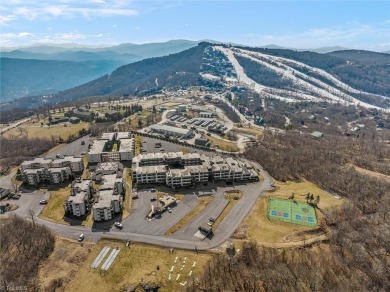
(291, 212)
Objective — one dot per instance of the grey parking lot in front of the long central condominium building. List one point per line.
(138, 223)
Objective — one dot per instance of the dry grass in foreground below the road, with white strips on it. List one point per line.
(138, 264)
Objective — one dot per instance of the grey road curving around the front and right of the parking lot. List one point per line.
(227, 227)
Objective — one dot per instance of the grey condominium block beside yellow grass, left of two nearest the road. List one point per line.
(77, 203)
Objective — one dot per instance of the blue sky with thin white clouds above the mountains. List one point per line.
(299, 24)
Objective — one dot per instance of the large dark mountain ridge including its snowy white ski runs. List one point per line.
(317, 76)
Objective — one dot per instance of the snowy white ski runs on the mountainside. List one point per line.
(304, 87)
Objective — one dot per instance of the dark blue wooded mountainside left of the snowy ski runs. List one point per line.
(174, 70)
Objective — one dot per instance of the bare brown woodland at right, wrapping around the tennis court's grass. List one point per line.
(356, 256)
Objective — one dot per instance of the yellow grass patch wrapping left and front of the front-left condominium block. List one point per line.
(54, 210)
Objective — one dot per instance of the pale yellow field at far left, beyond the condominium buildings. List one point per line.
(36, 131)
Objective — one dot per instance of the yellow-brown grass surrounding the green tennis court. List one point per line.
(258, 227)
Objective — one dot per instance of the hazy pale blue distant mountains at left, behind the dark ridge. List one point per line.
(36, 70)
